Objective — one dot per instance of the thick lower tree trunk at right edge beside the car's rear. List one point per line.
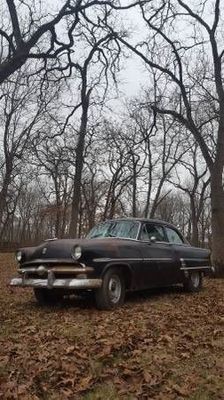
(217, 205)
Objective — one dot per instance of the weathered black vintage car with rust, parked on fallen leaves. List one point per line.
(117, 255)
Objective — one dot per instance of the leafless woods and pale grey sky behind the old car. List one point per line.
(76, 149)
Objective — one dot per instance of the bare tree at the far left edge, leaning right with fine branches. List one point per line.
(21, 112)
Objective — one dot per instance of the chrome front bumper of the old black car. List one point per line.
(51, 283)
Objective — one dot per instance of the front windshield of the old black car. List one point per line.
(122, 229)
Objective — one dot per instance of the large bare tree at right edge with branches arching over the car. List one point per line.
(190, 84)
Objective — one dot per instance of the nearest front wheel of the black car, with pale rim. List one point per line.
(112, 292)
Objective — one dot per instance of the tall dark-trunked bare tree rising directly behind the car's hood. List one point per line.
(103, 52)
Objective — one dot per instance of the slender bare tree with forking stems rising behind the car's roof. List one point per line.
(162, 146)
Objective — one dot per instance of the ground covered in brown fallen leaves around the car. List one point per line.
(162, 345)
